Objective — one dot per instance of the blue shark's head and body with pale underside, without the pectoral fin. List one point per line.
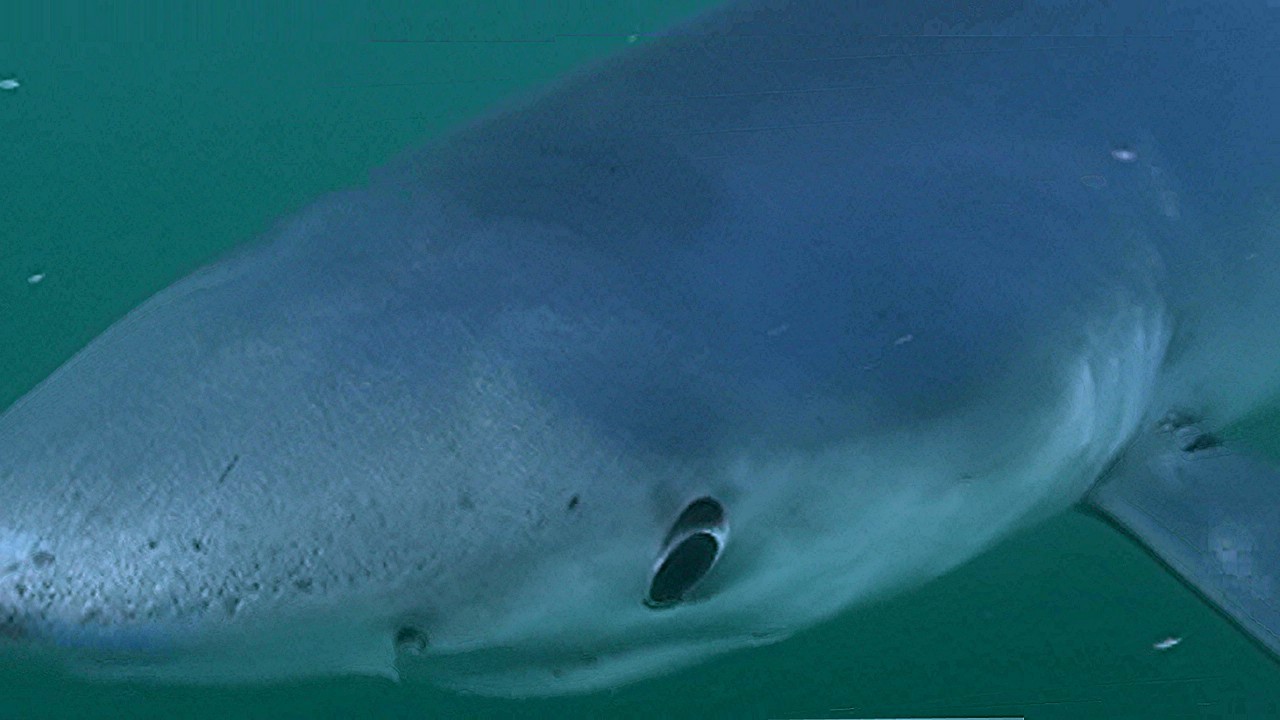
(794, 308)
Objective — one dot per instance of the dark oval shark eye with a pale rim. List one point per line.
(693, 546)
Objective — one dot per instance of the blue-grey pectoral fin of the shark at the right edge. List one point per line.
(1210, 514)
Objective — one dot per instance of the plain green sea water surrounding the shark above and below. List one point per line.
(147, 140)
